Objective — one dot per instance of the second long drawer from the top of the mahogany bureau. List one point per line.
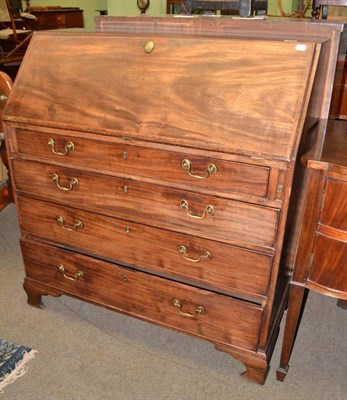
(206, 216)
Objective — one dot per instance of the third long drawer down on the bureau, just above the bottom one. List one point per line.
(223, 266)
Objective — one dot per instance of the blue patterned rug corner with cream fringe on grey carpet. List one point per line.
(13, 360)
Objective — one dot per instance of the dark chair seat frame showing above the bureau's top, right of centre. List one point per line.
(246, 8)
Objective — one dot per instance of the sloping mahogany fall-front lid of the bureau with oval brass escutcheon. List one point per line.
(232, 95)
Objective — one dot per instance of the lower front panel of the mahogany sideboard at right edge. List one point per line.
(329, 265)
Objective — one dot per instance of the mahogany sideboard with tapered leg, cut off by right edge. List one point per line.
(321, 263)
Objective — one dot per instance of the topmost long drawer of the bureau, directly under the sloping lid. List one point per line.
(181, 169)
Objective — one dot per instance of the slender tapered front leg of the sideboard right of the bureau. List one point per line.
(296, 297)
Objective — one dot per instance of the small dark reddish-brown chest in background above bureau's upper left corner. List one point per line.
(58, 19)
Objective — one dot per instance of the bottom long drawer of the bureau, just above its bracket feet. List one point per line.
(154, 299)
